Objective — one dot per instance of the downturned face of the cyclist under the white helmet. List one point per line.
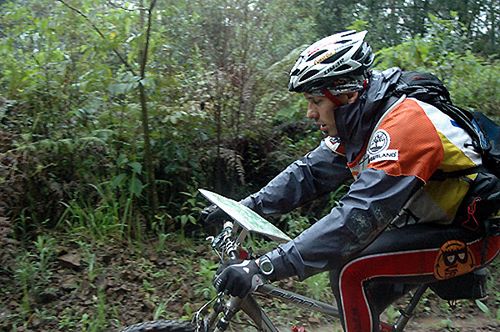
(321, 109)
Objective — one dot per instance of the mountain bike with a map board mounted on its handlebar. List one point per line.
(217, 314)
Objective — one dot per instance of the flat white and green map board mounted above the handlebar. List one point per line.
(245, 217)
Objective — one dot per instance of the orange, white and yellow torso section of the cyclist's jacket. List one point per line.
(414, 138)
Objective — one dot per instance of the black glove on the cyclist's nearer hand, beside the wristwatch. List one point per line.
(239, 279)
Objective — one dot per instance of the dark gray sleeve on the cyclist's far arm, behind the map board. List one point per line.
(317, 173)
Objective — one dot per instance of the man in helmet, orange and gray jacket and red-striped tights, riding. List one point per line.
(372, 240)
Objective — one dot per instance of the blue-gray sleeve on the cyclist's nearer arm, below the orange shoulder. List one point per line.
(372, 202)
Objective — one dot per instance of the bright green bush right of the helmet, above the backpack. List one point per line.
(445, 52)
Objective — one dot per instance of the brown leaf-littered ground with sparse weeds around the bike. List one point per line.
(104, 287)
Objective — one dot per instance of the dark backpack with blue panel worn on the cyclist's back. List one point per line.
(484, 132)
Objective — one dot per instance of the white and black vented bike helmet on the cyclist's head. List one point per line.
(338, 63)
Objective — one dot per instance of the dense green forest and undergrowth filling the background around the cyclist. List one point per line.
(114, 113)
